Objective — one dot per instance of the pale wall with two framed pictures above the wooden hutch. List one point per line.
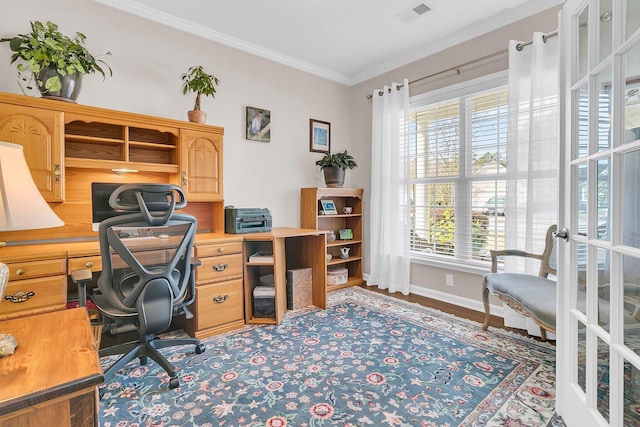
(147, 61)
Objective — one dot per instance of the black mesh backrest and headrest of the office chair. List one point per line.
(152, 244)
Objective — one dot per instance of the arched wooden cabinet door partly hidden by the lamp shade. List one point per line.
(40, 133)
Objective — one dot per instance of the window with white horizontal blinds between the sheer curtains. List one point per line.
(458, 153)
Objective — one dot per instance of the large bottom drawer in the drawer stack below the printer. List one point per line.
(219, 303)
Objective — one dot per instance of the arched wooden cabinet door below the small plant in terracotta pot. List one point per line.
(201, 166)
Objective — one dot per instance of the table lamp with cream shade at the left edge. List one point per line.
(21, 208)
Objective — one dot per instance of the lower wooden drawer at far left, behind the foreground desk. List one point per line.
(49, 293)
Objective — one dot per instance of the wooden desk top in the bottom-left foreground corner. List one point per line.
(53, 376)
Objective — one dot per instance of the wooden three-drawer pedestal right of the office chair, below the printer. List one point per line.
(219, 305)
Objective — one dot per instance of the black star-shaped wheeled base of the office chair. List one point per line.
(148, 349)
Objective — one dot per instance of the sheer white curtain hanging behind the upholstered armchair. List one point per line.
(532, 154)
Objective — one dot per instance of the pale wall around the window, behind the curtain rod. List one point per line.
(431, 280)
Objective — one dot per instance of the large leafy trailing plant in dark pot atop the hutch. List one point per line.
(55, 61)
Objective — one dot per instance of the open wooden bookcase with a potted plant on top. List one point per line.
(311, 217)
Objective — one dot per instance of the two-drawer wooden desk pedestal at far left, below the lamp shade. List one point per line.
(35, 286)
